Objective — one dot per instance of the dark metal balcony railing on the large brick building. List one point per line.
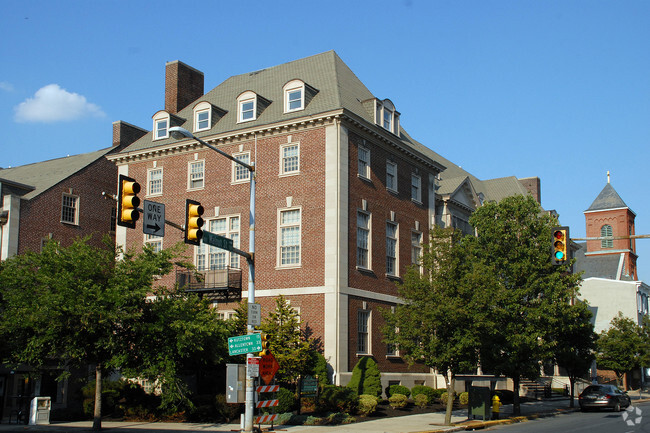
(217, 284)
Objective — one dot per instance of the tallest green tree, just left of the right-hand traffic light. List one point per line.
(512, 252)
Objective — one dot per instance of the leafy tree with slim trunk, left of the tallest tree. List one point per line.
(438, 324)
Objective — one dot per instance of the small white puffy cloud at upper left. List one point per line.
(54, 104)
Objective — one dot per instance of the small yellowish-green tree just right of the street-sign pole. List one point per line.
(287, 342)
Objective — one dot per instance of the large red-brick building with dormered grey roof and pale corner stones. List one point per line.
(344, 196)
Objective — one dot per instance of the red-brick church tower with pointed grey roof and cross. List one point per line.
(608, 215)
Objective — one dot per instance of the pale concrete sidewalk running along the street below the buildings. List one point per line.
(429, 423)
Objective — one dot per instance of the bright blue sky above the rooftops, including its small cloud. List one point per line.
(554, 89)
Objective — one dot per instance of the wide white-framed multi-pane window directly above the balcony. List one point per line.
(211, 258)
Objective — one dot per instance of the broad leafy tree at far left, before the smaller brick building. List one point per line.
(79, 306)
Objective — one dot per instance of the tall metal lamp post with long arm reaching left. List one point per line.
(179, 133)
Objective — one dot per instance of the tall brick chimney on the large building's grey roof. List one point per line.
(183, 84)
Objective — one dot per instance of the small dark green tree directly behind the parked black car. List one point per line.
(575, 342)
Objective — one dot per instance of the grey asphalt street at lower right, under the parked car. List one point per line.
(593, 422)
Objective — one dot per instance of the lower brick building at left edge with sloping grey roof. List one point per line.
(59, 199)
